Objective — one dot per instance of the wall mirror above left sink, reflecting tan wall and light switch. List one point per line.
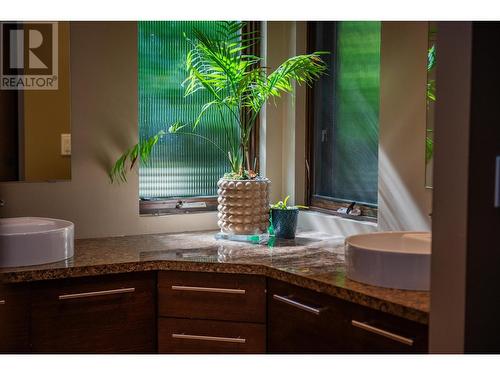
(35, 117)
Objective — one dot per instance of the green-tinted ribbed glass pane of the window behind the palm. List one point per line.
(180, 165)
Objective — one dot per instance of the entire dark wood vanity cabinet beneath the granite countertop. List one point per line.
(193, 312)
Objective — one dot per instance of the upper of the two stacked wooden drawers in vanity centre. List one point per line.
(199, 295)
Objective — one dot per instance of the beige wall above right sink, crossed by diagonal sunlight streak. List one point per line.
(404, 202)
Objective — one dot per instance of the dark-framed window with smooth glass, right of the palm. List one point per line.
(343, 109)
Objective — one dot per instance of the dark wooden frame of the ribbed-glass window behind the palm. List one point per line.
(174, 205)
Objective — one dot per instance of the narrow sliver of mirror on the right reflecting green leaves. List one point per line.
(431, 101)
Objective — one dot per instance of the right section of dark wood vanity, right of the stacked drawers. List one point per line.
(302, 321)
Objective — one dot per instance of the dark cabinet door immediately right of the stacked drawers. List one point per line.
(301, 321)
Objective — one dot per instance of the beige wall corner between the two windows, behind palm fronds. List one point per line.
(283, 123)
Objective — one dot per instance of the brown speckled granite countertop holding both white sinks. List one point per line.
(313, 260)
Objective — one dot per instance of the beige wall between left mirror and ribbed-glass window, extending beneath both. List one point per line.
(104, 122)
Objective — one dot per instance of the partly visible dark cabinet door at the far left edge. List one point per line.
(14, 319)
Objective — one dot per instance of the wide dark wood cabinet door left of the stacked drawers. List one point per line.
(108, 314)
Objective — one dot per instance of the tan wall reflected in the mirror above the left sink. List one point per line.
(47, 115)
